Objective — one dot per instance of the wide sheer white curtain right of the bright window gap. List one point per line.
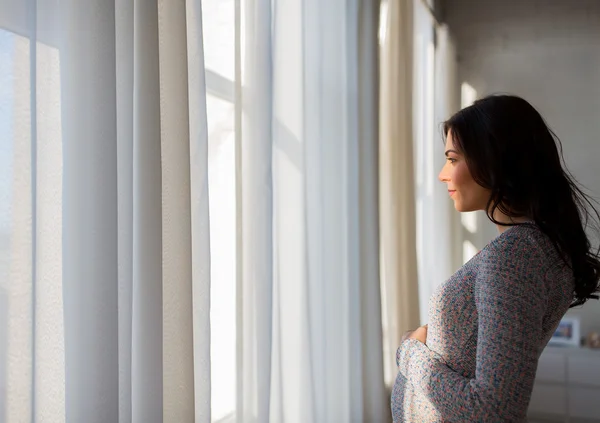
(311, 330)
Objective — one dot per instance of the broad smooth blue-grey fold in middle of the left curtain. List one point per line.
(90, 258)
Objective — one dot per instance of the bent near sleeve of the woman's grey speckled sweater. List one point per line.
(511, 301)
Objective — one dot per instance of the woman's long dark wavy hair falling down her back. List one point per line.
(510, 150)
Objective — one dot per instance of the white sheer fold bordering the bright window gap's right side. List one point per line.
(257, 208)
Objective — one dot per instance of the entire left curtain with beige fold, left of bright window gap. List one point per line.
(104, 275)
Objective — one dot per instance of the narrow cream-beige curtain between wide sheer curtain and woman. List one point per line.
(400, 284)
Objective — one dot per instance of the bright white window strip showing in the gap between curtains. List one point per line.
(219, 52)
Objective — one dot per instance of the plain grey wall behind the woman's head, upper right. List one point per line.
(547, 51)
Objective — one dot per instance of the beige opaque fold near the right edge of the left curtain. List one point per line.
(177, 340)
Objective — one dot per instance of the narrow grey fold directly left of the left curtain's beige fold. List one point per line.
(147, 318)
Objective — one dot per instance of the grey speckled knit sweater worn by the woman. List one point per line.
(488, 326)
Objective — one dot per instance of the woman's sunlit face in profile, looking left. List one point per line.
(467, 194)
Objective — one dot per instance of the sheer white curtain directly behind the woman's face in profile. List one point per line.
(436, 99)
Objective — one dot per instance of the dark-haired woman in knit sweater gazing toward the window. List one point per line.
(476, 359)
